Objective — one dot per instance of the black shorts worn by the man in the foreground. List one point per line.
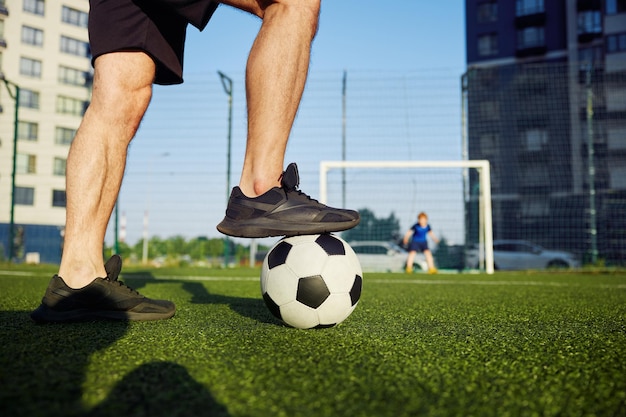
(157, 27)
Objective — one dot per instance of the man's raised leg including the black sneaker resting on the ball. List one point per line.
(276, 73)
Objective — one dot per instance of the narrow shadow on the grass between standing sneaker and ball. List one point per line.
(253, 308)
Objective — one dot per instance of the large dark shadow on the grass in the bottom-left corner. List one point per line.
(43, 370)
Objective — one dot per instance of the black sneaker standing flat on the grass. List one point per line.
(105, 298)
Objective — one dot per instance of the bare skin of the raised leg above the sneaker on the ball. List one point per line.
(276, 74)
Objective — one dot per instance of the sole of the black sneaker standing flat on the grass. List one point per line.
(44, 314)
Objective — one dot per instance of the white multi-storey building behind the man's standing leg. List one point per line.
(44, 50)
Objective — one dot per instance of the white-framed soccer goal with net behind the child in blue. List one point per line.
(456, 196)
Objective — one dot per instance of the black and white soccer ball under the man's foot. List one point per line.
(311, 280)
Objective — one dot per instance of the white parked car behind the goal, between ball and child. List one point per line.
(381, 256)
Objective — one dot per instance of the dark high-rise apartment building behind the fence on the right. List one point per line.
(545, 91)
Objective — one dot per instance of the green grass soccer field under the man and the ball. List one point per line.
(511, 344)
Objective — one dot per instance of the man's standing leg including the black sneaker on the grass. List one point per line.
(85, 289)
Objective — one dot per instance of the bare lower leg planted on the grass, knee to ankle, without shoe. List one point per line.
(97, 159)
